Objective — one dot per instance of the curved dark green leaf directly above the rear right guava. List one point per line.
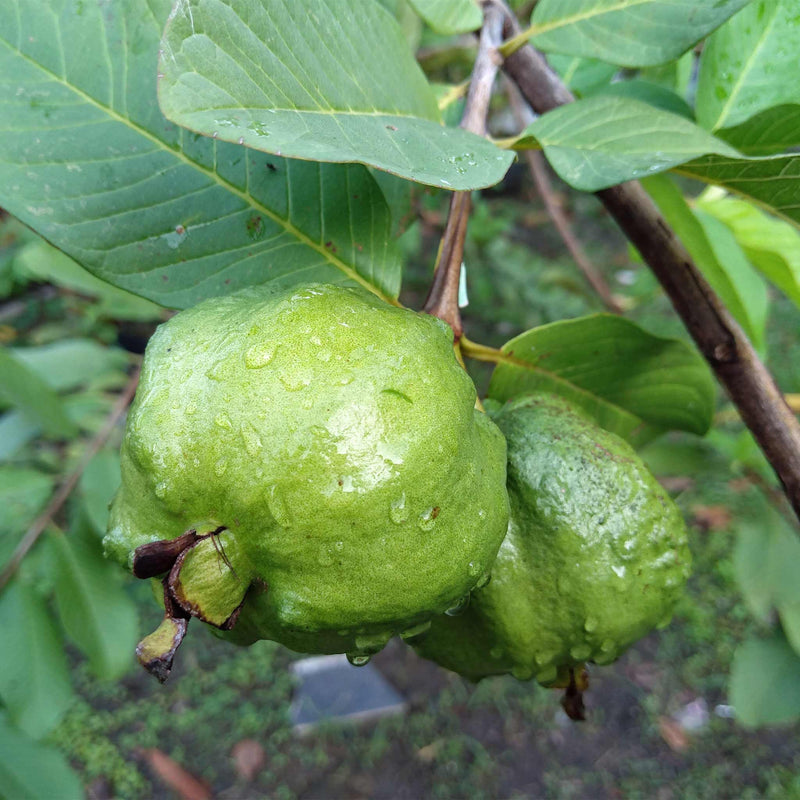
(633, 383)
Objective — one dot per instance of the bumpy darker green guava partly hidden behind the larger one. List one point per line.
(595, 556)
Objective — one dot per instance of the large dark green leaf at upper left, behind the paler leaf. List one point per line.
(88, 161)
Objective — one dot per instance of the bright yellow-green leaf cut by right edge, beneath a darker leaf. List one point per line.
(773, 246)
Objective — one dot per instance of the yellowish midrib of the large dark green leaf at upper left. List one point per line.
(248, 199)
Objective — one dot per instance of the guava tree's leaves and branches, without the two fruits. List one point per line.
(189, 152)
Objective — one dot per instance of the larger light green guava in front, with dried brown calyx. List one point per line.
(306, 466)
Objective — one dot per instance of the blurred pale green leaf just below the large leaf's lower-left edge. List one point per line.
(41, 262)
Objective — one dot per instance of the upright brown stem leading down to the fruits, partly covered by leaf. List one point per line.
(442, 300)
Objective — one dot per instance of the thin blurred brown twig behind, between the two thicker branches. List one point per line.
(536, 165)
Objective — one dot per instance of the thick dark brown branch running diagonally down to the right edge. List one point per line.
(717, 335)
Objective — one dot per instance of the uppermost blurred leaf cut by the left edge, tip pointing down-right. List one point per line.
(20, 386)
